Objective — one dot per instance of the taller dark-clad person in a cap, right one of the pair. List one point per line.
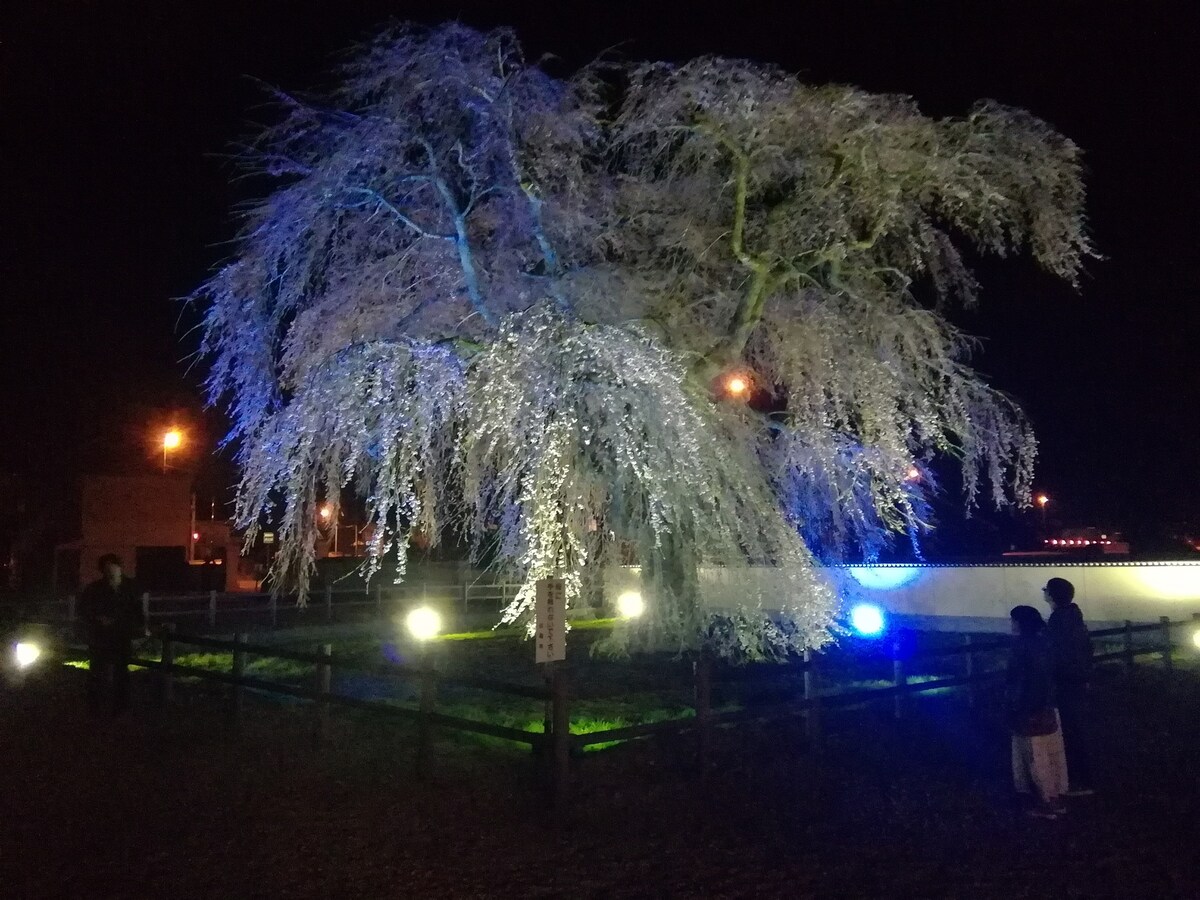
(1072, 651)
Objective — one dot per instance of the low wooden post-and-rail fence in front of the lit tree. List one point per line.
(556, 745)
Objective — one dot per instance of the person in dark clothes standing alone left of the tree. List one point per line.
(112, 616)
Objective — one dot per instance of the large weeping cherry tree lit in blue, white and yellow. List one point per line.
(505, 304)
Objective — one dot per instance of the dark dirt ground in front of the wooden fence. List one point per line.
(182, 808)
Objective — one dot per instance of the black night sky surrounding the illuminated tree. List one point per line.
(116, 199)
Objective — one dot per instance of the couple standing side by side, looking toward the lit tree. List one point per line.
(1048, 675)
